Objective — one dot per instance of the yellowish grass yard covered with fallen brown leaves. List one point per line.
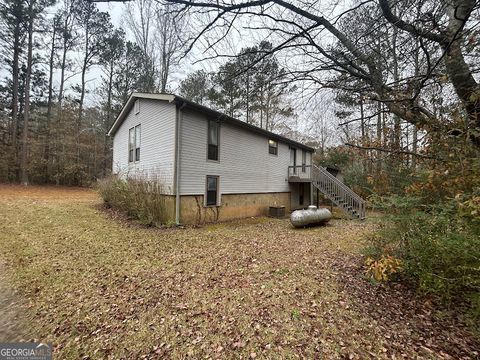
(97, 286)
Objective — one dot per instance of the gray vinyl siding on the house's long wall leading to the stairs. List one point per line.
(245, 165)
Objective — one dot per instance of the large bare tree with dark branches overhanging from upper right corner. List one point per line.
(300, 26)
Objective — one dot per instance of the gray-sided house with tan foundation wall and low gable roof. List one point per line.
(212, 166)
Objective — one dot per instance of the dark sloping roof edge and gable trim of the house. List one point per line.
(203, 109)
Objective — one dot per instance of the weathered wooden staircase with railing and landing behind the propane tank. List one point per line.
(332, 188)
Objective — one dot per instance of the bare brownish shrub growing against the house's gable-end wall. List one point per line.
(138, 198)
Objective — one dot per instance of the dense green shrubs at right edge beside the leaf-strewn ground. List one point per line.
(439, 247)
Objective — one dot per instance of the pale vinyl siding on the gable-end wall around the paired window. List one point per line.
(157, 146)
